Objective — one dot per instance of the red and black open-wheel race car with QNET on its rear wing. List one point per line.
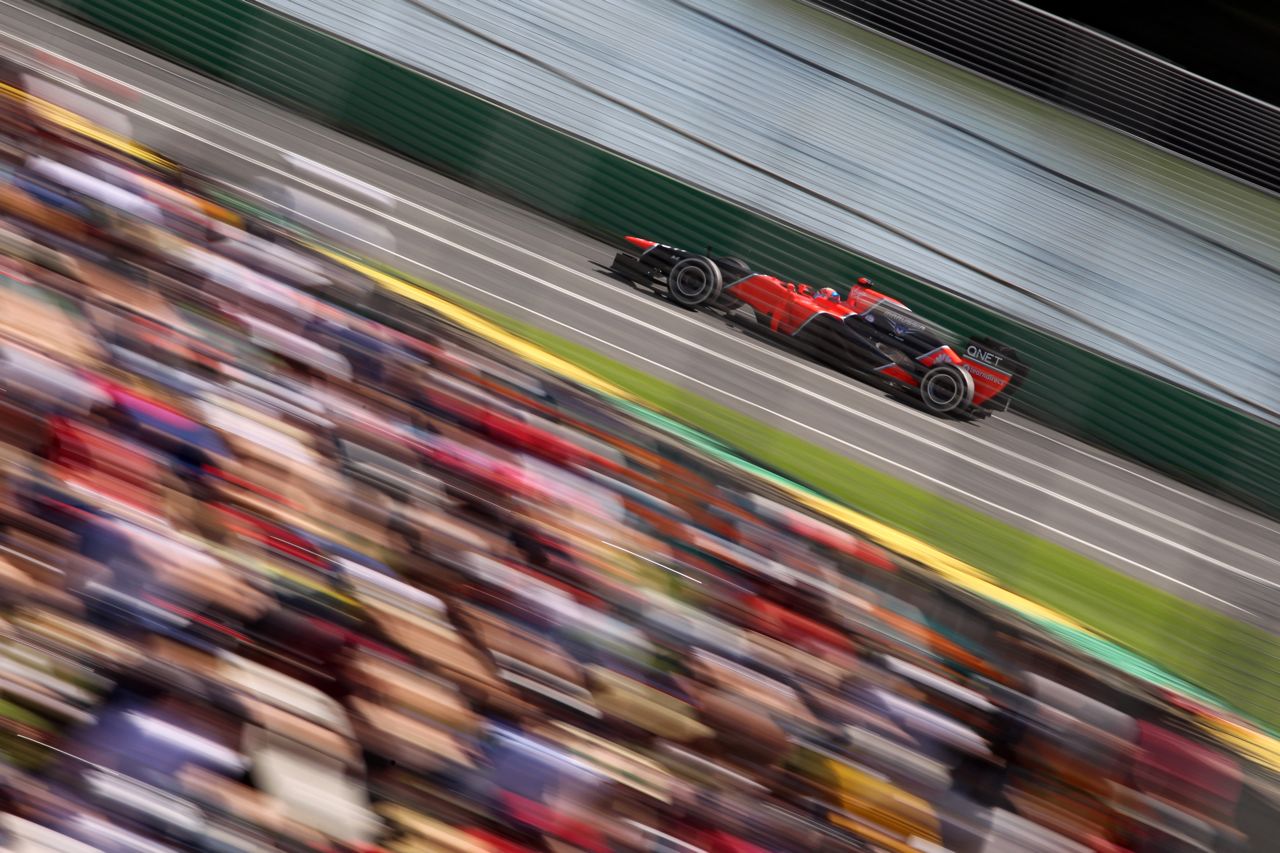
(863, 332)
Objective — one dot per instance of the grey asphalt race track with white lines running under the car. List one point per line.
(1137, 522)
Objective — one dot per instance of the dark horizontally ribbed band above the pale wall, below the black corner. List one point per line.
(1090, 74)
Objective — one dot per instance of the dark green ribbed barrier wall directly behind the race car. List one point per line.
(1072, 389)
